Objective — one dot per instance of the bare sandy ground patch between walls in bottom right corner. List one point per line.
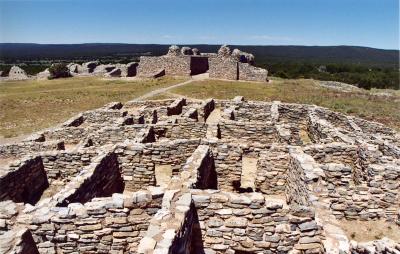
(364, 231)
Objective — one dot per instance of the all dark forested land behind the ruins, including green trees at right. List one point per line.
(361, 66)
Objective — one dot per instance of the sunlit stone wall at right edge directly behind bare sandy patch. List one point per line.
(378, 198)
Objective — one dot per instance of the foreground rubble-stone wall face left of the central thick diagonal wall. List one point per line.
(103, 225)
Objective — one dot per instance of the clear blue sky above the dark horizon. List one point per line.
(373, 23)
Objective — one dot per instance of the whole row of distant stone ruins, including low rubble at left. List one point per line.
(235, 65)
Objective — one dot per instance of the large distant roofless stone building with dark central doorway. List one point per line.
(235, 65)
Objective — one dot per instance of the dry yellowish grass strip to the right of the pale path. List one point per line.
(368, 105)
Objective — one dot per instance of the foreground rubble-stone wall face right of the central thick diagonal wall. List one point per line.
(252, 223)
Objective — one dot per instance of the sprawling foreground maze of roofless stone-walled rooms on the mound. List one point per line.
(213, 176)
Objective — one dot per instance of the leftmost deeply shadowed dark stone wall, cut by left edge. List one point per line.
(23, 181)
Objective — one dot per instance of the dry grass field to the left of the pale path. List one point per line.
(28, 106)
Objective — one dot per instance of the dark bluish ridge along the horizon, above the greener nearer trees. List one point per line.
(316, 54)
